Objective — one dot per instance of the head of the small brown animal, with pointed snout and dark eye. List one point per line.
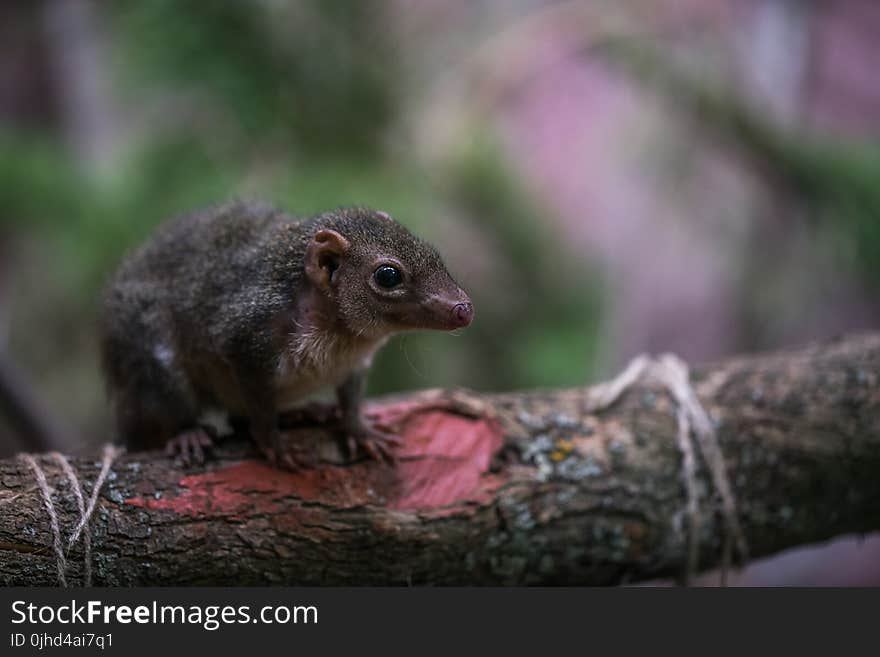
(382, 278)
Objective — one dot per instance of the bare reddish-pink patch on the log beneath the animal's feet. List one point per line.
(444, 461)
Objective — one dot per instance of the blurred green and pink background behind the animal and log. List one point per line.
(604, 178)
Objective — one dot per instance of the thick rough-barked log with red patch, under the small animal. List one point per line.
(524, 488)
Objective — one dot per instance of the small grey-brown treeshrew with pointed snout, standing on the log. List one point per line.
(246, 309)
